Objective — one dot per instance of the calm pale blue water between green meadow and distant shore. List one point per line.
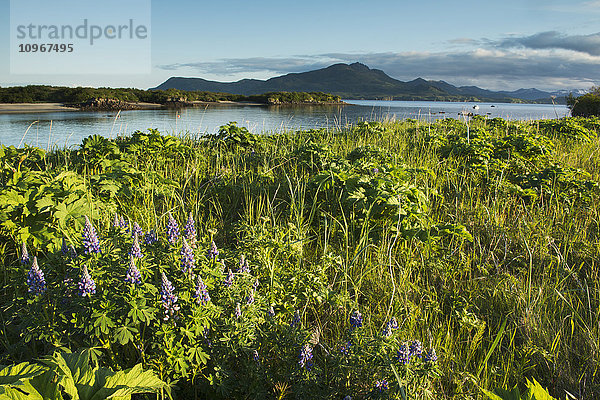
(69, 128)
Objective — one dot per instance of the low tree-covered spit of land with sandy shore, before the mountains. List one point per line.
(37, 98)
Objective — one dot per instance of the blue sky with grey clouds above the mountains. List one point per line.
(498, 45)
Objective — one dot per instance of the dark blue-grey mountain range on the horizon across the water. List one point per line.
(358, 81)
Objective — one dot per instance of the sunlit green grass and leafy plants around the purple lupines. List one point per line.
(481, 238)
